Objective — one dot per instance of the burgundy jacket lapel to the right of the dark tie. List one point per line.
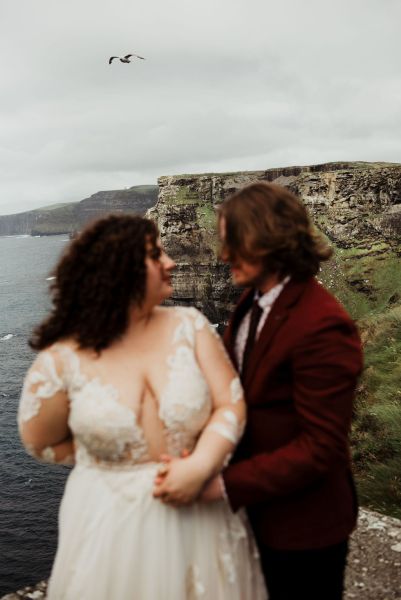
(276, 318)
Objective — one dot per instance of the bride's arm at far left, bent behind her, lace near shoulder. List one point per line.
(43, 412)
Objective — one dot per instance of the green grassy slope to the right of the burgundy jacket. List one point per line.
(368, 283)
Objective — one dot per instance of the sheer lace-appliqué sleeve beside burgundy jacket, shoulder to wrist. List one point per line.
(227, 421)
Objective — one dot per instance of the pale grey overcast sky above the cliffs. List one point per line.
(226, 85)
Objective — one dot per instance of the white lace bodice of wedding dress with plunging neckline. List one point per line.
(180, 409)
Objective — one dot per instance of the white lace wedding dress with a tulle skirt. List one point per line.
(116, 542)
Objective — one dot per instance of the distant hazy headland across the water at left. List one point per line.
(71, 217)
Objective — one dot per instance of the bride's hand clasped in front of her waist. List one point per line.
(179, 481)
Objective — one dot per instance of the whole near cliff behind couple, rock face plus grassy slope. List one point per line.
(357, 206)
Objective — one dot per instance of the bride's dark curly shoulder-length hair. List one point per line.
(101, 274)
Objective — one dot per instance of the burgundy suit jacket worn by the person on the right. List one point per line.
(291, 469)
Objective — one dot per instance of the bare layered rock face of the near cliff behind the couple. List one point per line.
(357, 205)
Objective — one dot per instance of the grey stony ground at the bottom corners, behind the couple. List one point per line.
(374, 563)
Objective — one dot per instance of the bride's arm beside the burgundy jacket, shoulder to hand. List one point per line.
(185, 477)
